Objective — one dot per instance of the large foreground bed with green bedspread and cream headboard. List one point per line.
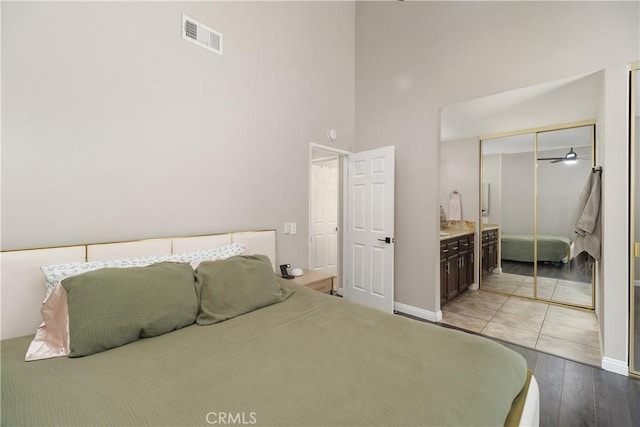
(309, 359)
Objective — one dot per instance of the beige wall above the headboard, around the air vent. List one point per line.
(115, 128)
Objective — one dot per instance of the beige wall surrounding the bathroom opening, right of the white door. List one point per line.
(414, 58)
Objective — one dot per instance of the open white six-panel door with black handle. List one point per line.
(370, 228)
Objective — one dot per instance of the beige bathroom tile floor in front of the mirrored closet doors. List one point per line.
(562, 331)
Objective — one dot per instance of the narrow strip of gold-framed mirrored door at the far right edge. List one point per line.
(634, 297)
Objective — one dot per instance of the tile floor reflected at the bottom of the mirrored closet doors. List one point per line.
(565, 291)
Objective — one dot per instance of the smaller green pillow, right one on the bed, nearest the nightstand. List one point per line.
(234, 286)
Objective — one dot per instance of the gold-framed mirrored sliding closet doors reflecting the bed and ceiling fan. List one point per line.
(535, 181)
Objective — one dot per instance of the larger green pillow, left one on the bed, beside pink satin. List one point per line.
(111, 307)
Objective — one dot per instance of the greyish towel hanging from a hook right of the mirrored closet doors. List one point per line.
(587, 217)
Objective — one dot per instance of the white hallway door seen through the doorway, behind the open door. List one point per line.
(324, 216)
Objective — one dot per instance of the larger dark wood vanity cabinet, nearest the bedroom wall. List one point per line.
(456, 266)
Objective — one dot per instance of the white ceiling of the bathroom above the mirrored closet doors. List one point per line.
(568, 100)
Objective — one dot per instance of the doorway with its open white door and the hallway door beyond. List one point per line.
(361, 249)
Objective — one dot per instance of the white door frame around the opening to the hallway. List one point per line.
(342, 172)
